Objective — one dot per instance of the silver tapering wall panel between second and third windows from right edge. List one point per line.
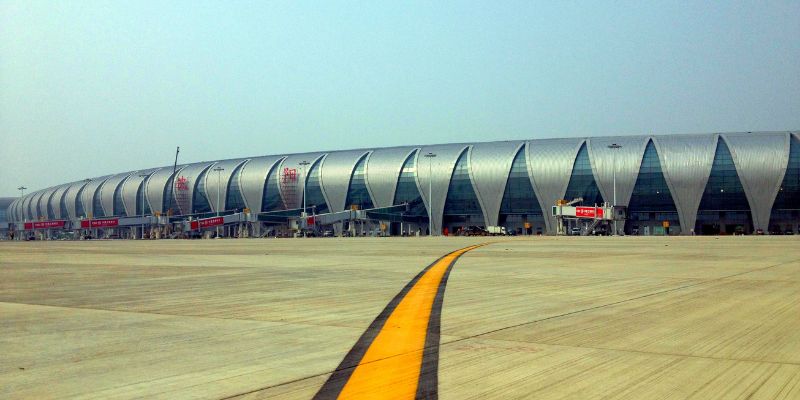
(686, 163)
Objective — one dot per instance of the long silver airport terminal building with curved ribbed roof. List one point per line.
(718, 183)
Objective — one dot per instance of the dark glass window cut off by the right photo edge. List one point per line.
(786, 208)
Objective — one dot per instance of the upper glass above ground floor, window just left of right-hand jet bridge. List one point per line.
(519, 197)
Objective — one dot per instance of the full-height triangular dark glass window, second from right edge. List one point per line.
(723, 207)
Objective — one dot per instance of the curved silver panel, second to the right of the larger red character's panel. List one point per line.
(383, 171)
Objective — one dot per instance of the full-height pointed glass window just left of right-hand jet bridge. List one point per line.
(520, 205)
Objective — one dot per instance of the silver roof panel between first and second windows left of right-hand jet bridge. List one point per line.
(488, 161)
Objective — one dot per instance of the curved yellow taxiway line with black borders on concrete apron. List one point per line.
(397, 356)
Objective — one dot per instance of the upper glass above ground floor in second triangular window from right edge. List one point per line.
(724, 191)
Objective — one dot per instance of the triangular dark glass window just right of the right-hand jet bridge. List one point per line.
(651, 195)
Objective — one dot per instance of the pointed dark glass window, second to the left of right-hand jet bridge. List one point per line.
(461, 208)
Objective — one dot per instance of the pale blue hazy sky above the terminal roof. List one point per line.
(91, 88)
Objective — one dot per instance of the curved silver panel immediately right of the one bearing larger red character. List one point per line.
(335, 174)
